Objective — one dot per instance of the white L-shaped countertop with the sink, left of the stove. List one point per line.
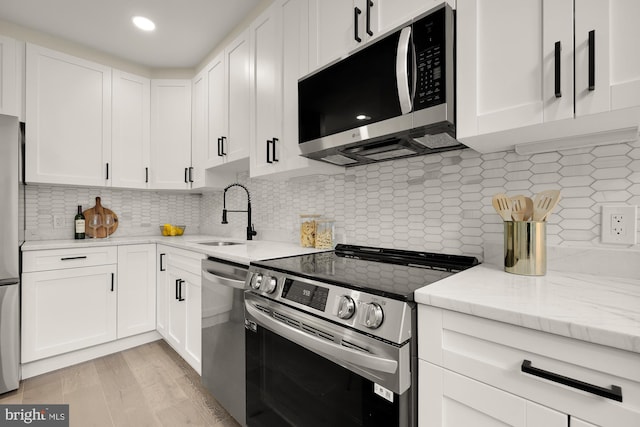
(243, 253)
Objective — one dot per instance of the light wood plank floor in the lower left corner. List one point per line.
(148, 385)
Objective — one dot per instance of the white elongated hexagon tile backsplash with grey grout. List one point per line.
(440, 202)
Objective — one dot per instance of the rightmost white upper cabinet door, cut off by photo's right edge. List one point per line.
(616, 72)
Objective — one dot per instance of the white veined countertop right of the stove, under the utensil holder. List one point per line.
(599, 309)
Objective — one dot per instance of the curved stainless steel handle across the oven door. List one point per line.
(344, 354)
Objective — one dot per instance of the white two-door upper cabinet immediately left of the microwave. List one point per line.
(279, 58)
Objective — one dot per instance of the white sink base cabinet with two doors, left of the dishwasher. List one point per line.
(179, 302)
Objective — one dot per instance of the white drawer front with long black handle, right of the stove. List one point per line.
(493, 353)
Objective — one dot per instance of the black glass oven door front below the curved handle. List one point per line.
(288, 385)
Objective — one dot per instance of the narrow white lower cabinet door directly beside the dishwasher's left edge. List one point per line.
(193, 333)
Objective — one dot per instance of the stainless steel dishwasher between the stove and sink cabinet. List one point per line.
(223, 357)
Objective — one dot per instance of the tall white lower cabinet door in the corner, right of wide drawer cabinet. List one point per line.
(136, 289)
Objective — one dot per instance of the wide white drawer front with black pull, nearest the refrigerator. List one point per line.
(58, 259)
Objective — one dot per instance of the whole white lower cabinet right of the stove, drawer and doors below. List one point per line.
(472, 372)
